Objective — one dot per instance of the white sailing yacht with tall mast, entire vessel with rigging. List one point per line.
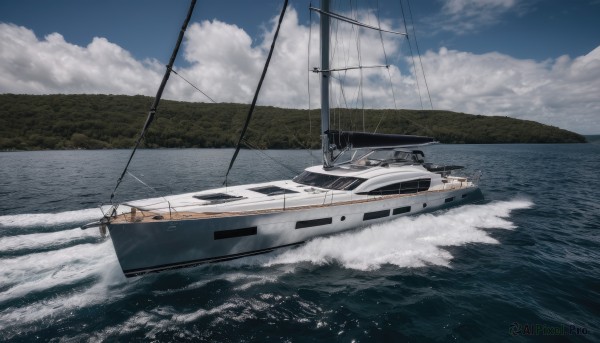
(365, 178)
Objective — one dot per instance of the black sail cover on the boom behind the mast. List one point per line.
(351, 139)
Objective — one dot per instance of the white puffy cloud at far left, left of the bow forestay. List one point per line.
(51, 65)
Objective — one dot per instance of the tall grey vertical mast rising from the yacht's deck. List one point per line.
(327, 163)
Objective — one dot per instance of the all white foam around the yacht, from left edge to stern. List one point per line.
(405, 242)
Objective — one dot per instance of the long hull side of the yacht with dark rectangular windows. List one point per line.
(152, 246)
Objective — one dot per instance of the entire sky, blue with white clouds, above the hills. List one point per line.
(528, 59)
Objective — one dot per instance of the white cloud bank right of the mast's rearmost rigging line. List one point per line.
(562, 92)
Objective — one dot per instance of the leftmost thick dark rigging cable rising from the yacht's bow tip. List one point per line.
(163, 83)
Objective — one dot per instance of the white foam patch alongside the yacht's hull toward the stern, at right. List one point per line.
(408, 241)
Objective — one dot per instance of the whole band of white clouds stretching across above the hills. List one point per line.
(224, 62)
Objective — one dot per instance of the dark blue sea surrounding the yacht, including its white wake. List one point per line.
(524, 265)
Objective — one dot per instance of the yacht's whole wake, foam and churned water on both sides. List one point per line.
(46, 273)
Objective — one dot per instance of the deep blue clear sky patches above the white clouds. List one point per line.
(536, 29)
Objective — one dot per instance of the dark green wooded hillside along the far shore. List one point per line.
(35, 122)
